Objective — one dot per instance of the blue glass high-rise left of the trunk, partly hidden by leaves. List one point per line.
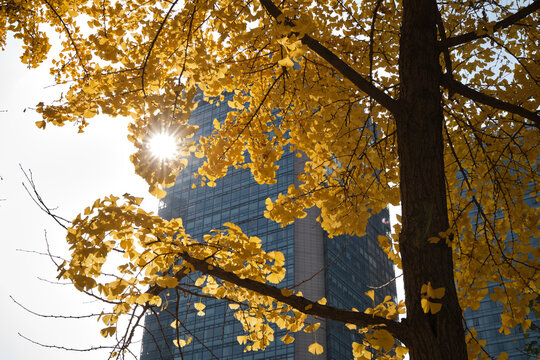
(340, 269)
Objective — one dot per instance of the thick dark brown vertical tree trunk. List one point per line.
(423, 192)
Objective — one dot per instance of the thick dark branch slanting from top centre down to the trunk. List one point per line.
(348, 72)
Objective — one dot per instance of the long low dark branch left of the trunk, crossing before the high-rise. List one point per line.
(398, 330)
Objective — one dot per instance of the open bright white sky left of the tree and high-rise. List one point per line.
(70, 170)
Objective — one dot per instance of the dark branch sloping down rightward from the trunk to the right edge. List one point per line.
(459, 88)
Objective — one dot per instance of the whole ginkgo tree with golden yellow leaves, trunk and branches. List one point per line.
(429, 104)
